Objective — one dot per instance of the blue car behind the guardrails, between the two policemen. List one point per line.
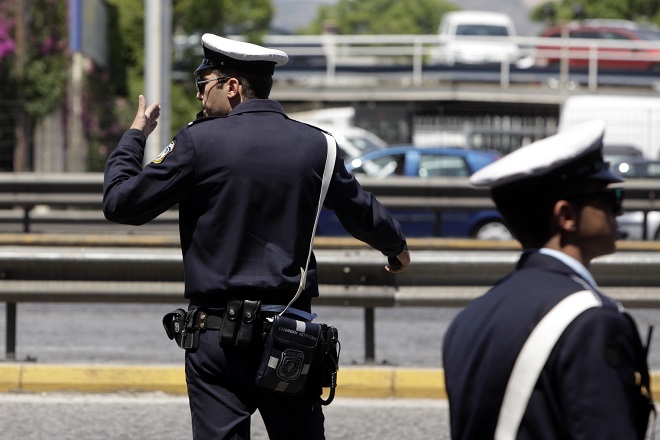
(425, 163)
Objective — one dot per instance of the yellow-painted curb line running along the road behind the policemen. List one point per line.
(352, 381)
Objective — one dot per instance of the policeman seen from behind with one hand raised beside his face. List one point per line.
(247, 181)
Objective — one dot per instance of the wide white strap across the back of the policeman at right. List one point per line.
(532, 359)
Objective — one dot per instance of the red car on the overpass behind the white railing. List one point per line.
(621, 47)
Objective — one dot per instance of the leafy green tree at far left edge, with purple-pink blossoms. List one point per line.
(33, 75)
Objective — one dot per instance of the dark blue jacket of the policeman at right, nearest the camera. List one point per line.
(588, 389)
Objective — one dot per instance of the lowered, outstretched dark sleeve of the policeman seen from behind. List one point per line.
(361, 214)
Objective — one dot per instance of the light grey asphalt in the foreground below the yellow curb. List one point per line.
(128, 416)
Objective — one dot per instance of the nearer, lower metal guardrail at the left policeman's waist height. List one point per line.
(38, 269)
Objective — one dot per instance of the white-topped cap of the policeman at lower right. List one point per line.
(571, 155)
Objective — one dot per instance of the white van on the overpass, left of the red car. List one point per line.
(476, 37)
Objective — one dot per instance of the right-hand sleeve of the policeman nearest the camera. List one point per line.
(600, 365)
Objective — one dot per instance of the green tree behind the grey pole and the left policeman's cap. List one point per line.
(125, 79)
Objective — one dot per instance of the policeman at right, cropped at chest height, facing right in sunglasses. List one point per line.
(544, 354)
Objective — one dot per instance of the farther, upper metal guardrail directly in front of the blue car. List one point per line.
(75, 199)
